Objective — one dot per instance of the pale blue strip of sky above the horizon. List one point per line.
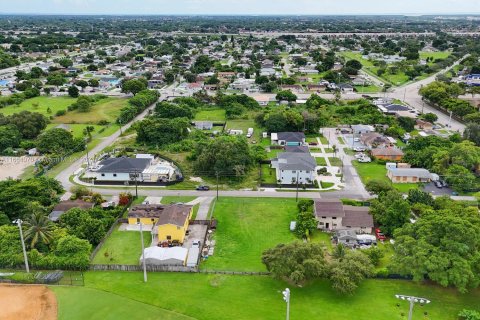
(240, 6)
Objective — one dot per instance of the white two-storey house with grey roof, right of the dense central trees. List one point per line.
(293, 167)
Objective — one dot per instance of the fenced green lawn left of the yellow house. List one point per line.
(122, 247)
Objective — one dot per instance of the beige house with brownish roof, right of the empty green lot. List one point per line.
(333, 215)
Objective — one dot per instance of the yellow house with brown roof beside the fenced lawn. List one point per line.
(169, 222)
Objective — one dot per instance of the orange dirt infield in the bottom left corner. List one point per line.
(27, 302)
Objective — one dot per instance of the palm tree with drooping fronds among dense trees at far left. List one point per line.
(39, 228)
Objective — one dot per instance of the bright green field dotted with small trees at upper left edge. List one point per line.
(40, 105)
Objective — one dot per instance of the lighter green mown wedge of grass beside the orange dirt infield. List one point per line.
(79, 303)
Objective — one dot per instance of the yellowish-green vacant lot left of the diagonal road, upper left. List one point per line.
(106, 109)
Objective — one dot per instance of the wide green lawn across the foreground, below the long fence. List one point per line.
(123, 295)
